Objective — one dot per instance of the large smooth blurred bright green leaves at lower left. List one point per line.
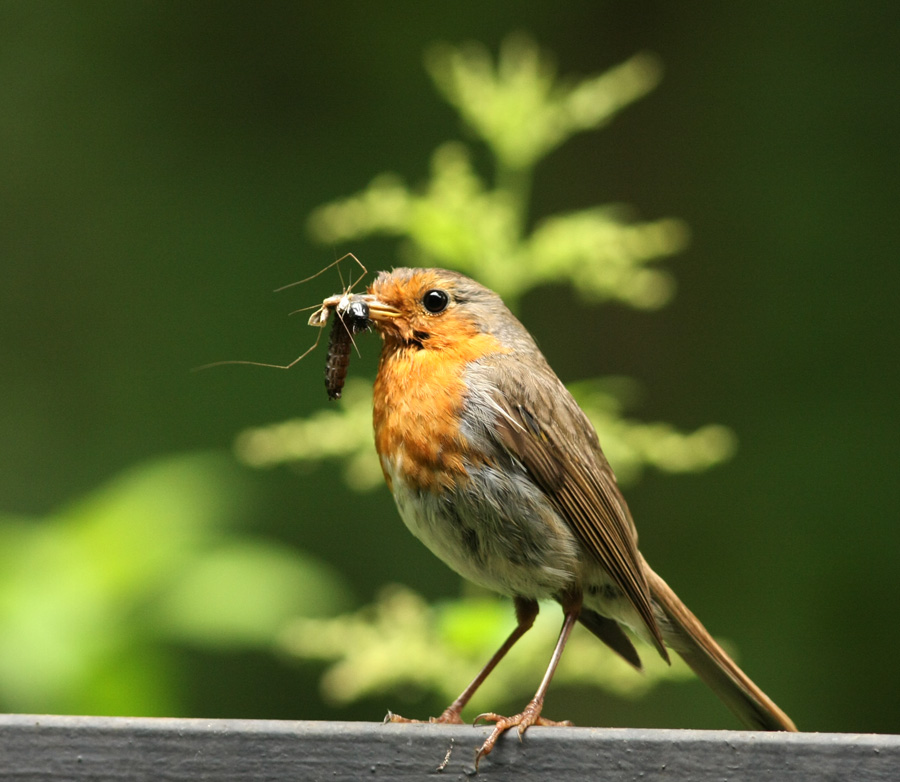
(94, 597)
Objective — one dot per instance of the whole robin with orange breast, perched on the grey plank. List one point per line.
(496, 469)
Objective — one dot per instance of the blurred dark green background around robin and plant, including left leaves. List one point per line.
(159, 162)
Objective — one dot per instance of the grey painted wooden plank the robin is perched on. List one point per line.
(58, 748)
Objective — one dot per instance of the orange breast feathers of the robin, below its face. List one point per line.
(418, 400)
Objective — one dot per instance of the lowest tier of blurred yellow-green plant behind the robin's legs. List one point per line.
(402, 645)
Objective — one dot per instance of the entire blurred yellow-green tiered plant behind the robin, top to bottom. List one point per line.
(521, 112)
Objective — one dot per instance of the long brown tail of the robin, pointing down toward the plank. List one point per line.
(708, 660)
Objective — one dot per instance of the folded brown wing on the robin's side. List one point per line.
(550, 435)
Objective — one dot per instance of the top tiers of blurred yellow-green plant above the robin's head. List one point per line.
(460, 221)
